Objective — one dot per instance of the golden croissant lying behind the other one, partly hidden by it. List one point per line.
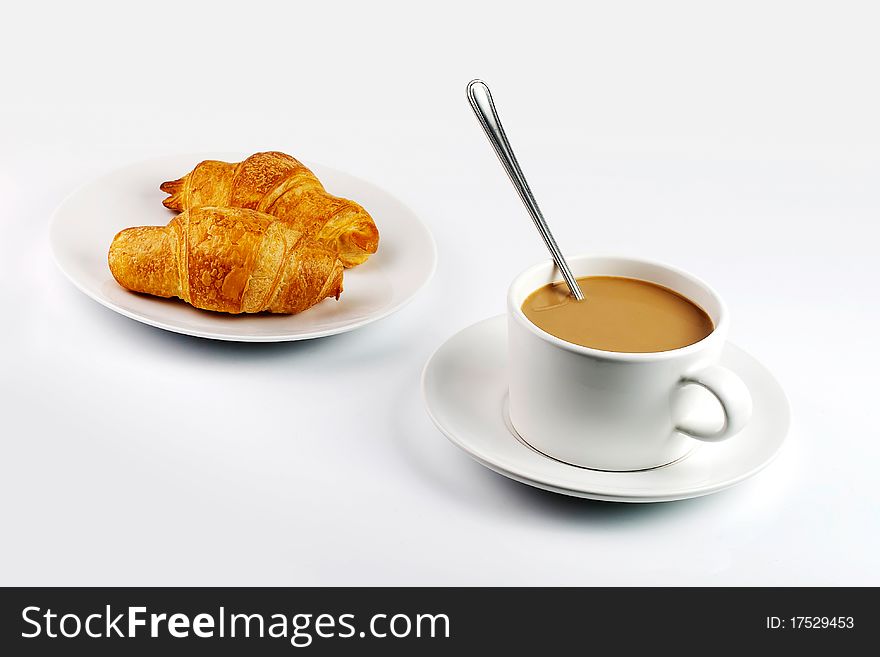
(279, 185)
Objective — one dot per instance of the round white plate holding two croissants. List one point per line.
(85, 223)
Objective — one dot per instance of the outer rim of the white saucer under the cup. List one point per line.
(607, 494)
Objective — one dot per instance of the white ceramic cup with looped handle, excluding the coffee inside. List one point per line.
(618, 411)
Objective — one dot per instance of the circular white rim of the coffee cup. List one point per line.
(514, 310)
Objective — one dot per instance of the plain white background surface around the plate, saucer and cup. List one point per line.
(738, 140)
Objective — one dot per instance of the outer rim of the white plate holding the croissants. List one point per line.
(220, 336)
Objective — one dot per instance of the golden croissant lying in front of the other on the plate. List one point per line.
(227, 259)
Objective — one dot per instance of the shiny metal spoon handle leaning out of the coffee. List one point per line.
(480, 99)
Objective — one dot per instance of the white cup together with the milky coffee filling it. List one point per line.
(612, 382)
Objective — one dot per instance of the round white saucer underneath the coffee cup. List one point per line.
(464, 385)
